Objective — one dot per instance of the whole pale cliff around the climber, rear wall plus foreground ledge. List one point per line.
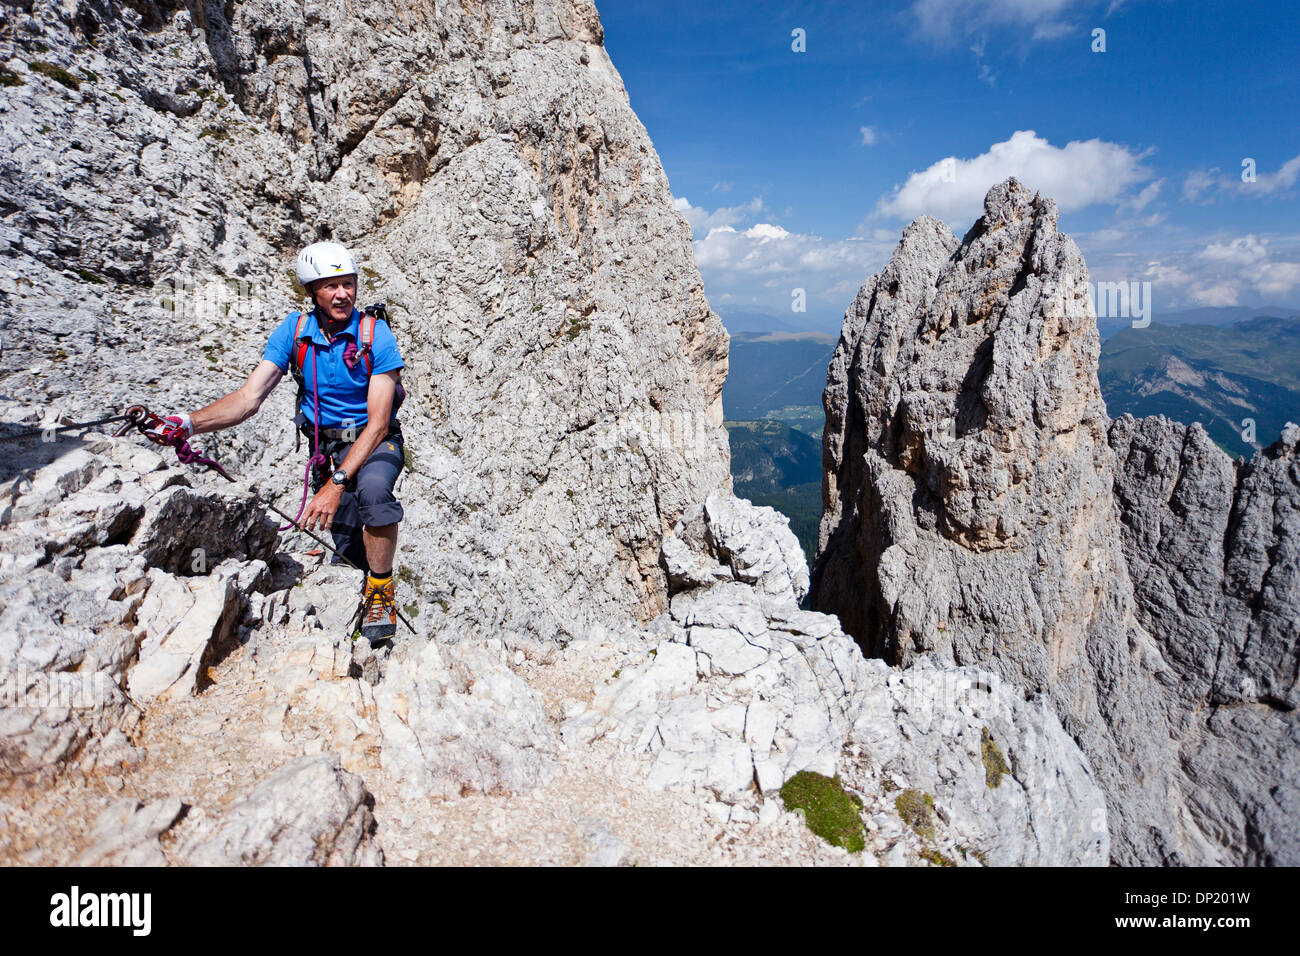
(610, 664)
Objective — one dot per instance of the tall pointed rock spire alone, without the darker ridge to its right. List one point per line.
(968, 492)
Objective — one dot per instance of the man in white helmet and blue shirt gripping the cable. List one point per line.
(348, 366)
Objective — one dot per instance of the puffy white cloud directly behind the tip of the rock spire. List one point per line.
(1078, 175)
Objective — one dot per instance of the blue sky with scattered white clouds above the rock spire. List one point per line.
(800, 170)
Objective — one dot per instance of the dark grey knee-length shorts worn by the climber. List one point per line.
(367, 500)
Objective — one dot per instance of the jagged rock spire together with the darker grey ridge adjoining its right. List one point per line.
(981, 508)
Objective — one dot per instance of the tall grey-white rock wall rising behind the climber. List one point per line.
(564, 367)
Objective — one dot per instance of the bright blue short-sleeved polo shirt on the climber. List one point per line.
(344, 391)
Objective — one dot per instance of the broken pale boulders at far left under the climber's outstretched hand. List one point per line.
(90, 625)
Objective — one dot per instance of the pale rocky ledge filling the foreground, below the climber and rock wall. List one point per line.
(154, 717)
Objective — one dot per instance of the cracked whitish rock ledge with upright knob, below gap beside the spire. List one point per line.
(743, 691)
